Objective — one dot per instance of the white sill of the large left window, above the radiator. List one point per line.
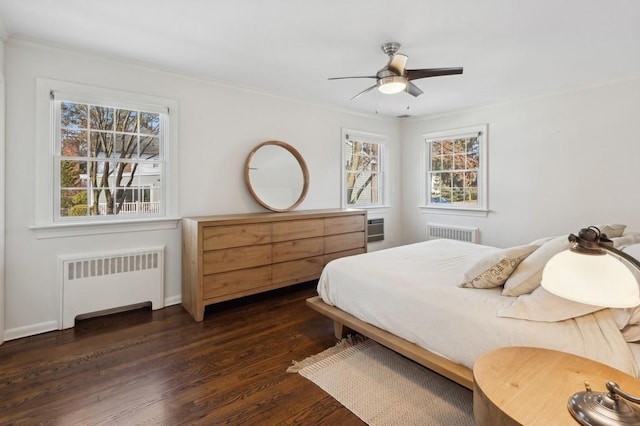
(62, 230)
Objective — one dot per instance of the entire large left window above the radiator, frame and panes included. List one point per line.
(104, 156)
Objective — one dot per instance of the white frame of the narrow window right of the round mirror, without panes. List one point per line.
(383, 172)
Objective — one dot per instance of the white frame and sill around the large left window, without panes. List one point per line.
(47, 221)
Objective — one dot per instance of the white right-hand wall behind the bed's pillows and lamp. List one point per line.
(556, 164)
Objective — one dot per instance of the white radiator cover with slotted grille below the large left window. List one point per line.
(104, 281)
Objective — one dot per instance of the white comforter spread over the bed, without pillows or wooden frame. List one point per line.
(412, 291)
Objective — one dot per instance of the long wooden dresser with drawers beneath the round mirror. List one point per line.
(226, 257)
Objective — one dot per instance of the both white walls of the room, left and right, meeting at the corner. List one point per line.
(556, 164)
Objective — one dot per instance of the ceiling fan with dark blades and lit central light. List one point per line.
(394, 78)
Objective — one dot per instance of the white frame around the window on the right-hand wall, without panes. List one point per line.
(481, 208)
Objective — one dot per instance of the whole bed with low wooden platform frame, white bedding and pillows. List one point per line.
(410, 299)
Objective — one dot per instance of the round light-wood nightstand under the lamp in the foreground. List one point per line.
(531, 386)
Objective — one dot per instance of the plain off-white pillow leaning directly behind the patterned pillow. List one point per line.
(528, 274)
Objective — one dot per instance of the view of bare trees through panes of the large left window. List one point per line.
(110, 160)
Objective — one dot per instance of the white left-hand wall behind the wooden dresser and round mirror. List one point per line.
(219, 125)
